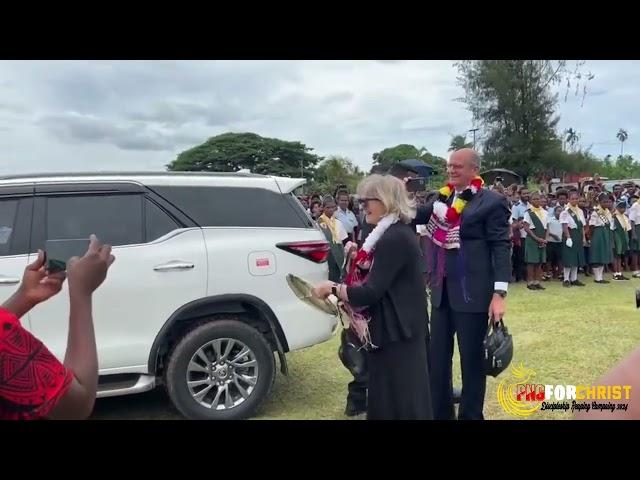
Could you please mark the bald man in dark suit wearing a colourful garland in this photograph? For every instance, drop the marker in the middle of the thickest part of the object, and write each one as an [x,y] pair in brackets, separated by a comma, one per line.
[471,284]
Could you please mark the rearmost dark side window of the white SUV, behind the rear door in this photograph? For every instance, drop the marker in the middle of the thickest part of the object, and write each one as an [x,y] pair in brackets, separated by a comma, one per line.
[236,207]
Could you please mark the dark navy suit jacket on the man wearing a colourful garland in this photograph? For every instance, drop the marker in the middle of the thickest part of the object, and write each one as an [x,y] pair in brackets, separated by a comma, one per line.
[485,253]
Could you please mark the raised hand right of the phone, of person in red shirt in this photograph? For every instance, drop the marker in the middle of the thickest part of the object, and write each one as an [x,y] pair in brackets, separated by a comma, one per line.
[86,274]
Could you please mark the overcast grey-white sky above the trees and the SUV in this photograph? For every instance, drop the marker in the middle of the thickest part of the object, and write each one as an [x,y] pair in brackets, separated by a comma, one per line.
[138,115]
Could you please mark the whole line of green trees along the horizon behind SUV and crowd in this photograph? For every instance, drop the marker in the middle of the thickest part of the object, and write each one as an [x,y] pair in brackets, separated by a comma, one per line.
[513,104]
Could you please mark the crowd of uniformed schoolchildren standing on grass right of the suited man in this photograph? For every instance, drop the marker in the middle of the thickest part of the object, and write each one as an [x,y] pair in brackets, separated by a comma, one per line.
[557,235]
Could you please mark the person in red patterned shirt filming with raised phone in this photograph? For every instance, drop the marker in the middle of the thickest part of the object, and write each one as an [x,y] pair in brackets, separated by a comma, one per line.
[71,394]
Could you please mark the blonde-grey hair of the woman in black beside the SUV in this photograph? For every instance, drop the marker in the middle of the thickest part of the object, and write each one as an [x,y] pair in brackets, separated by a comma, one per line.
[391,192]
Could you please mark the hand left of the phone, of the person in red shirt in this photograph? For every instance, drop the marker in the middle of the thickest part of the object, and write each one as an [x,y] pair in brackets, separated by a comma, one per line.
[36,287]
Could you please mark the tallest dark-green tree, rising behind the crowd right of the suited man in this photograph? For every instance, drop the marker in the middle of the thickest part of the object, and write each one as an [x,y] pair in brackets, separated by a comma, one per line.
[513,104]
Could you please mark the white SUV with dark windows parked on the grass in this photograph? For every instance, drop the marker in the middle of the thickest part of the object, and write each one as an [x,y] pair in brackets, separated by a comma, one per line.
[197,299]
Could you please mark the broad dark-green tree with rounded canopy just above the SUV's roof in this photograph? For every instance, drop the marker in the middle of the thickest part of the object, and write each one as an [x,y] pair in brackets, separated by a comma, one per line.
[231,152]
